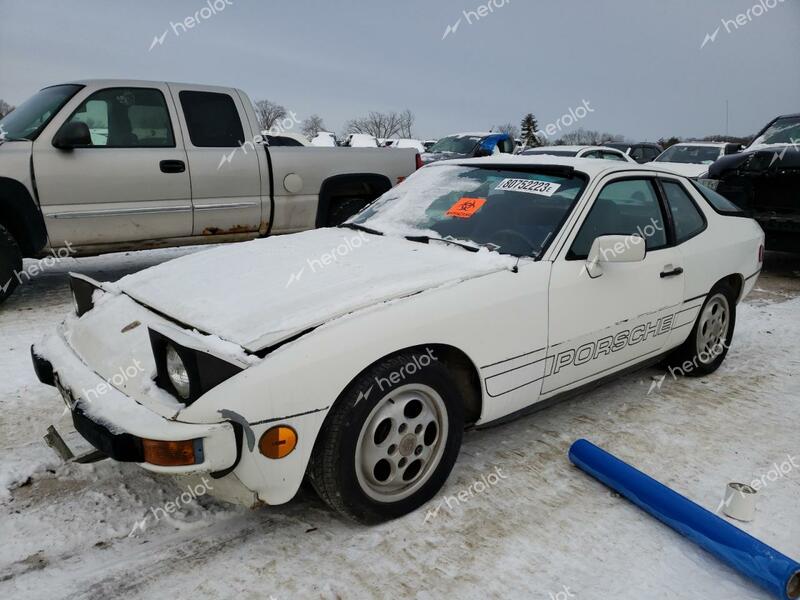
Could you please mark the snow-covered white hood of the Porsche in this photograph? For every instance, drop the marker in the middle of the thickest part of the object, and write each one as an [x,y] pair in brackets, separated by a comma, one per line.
[260,293]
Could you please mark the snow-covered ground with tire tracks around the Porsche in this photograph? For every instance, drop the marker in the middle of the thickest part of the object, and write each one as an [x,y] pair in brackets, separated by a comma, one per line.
[534,527]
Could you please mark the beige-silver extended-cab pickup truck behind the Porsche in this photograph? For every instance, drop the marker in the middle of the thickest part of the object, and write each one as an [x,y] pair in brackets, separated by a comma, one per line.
[107,165]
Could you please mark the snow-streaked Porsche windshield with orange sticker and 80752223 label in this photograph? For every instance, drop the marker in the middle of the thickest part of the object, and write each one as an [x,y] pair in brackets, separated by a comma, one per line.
[511,210]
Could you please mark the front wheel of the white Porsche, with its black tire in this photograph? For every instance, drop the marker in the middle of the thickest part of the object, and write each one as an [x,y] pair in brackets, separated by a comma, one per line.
[336,470]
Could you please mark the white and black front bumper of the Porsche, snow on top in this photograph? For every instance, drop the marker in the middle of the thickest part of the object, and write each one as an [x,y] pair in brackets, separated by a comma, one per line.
[116,424]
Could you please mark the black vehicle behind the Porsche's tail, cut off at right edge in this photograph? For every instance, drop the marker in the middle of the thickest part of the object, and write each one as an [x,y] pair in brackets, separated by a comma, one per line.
[764,180]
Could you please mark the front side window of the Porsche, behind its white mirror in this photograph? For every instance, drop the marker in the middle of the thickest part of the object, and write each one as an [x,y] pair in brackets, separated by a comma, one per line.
[628,207]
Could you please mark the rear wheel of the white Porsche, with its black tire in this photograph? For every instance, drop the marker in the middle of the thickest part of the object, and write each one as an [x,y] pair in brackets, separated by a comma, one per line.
[697,357]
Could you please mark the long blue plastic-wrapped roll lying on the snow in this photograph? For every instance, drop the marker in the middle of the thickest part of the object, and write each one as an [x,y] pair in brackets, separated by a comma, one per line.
[764,565]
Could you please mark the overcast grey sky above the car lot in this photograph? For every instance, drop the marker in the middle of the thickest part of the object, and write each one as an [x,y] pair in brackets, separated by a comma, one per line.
[638,63]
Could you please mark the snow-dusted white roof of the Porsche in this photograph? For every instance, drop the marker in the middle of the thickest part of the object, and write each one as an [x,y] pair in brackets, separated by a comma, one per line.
[590,166]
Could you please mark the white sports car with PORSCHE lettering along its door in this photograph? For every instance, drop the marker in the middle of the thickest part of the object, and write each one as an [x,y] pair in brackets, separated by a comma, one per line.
[356,356]
